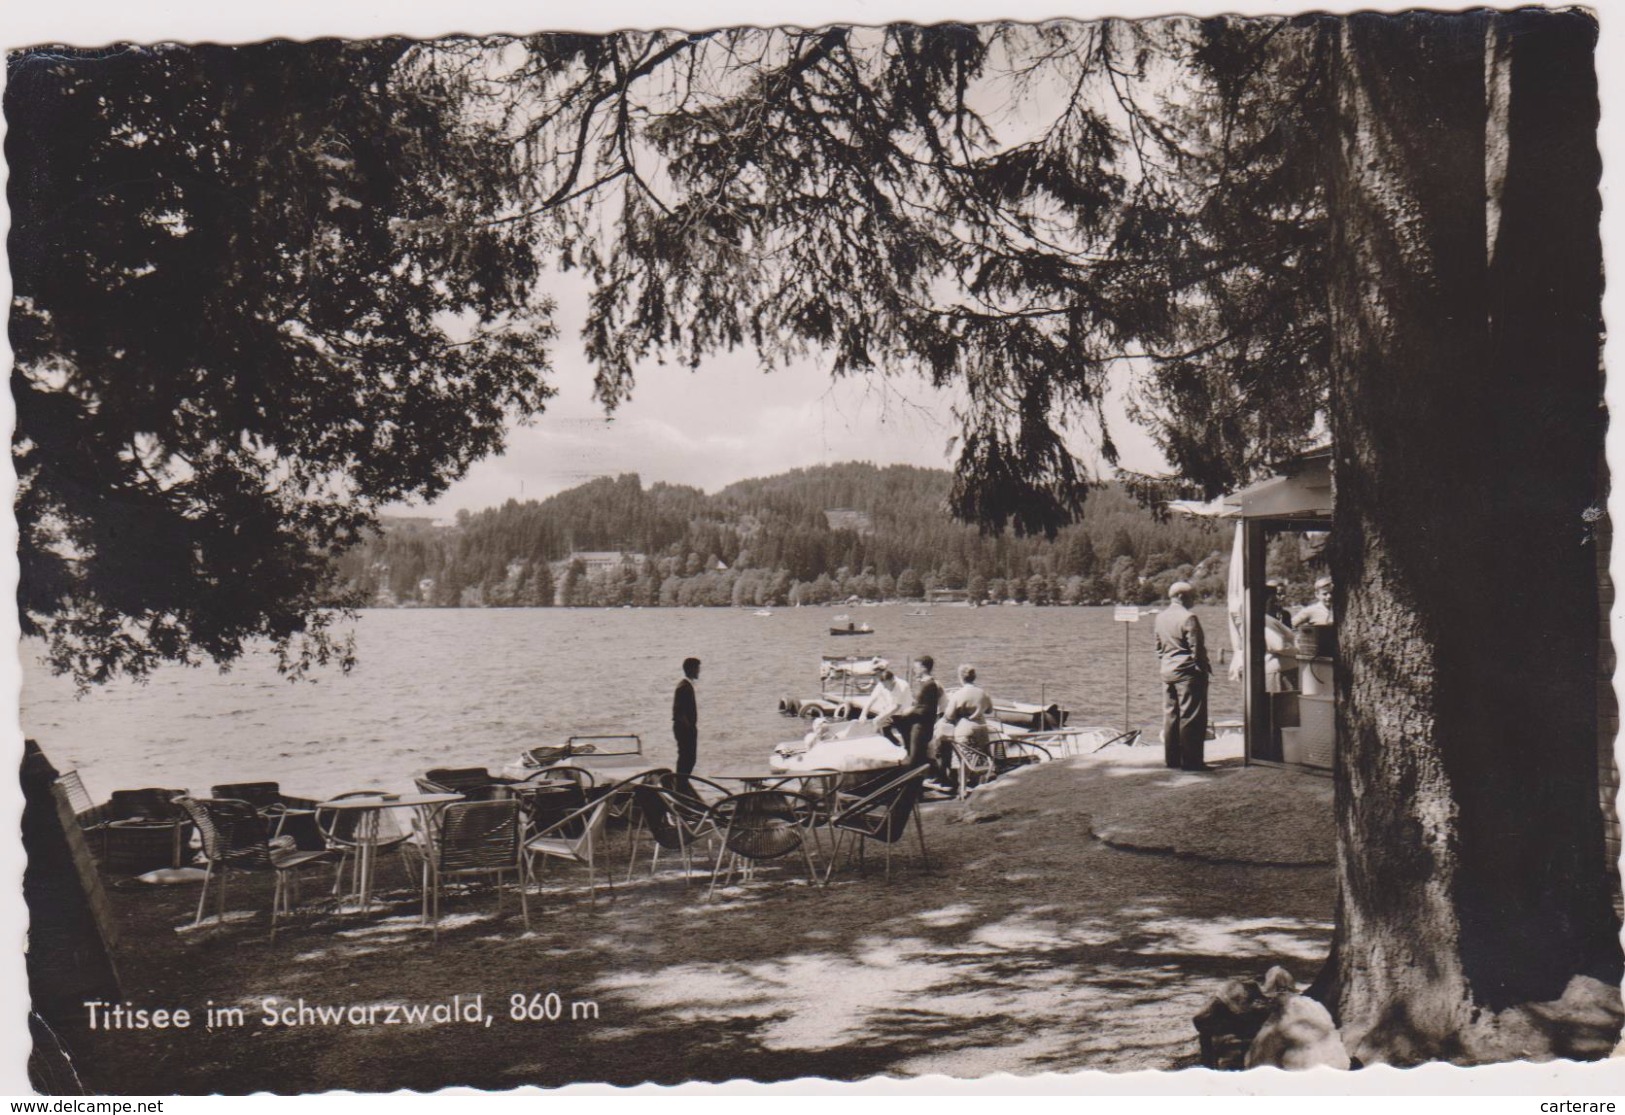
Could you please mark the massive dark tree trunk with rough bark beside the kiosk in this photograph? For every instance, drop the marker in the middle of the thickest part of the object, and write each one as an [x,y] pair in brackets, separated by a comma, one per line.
[1467,428]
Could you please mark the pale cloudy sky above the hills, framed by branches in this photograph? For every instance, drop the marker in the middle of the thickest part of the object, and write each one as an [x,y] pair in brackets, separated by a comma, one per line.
[721,423]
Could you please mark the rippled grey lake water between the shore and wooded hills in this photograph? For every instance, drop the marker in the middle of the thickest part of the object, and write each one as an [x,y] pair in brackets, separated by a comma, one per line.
[477,687]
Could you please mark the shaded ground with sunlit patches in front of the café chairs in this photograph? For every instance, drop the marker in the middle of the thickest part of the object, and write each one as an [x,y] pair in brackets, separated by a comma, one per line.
[1073,918]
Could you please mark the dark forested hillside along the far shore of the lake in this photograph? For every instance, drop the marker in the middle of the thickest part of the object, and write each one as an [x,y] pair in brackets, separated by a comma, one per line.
[771,542]
